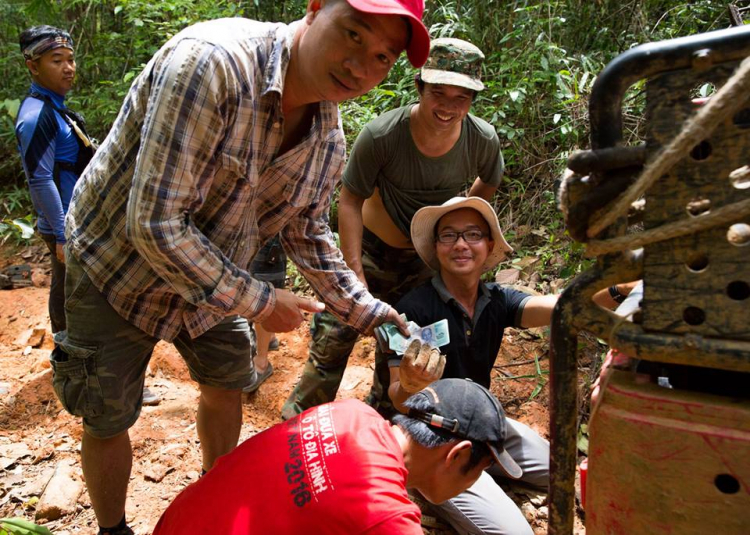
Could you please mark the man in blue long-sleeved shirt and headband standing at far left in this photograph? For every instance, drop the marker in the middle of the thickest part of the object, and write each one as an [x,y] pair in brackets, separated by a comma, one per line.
[54,149]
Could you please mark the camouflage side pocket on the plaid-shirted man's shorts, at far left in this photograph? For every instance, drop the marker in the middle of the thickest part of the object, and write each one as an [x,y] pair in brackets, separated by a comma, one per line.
[74,378]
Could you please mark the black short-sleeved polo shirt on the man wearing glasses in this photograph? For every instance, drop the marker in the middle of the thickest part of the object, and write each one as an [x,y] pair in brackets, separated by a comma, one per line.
[475,342]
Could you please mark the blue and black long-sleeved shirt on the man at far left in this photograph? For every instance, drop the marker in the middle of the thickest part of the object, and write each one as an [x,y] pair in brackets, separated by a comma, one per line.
[43,139]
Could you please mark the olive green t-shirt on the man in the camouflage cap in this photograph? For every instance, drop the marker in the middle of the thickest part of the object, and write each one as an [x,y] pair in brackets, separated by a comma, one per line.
[385,156]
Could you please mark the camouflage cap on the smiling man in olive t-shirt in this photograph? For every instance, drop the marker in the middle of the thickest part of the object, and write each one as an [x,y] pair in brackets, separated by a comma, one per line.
[454,62]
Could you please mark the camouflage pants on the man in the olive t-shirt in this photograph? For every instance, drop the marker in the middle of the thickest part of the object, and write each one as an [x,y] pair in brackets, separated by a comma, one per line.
[390,274]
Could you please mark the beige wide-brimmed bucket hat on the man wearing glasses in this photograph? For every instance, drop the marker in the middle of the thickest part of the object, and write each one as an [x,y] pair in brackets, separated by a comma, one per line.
[423,230]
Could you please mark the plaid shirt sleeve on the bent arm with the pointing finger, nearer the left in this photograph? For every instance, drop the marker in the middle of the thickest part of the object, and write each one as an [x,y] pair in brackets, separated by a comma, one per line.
[193,99]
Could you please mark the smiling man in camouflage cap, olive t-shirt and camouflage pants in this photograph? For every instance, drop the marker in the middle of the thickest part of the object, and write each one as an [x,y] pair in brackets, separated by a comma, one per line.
[415,156]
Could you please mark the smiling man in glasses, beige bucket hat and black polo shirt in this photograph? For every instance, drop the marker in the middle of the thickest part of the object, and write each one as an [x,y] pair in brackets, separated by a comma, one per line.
[461,240]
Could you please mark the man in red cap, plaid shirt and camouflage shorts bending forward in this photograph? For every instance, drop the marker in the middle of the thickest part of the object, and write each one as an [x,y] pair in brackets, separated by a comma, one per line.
[230,135]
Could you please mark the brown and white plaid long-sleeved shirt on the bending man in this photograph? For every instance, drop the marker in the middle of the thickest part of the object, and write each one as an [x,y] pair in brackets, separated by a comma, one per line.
[188,185]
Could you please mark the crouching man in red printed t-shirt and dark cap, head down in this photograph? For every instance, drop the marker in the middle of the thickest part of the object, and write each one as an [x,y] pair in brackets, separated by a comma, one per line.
[340,468]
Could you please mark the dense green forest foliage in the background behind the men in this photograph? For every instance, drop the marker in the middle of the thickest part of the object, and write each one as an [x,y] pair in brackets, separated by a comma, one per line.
[542,59]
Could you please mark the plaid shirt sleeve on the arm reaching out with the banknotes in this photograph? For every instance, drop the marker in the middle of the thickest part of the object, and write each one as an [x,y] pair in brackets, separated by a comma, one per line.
[310,243]
